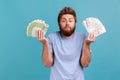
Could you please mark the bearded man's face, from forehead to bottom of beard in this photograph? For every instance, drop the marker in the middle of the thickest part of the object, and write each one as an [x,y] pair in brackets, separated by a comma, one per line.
[67,24]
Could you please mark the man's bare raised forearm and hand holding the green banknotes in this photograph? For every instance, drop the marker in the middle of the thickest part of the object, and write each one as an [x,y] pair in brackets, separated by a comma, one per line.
[47,57]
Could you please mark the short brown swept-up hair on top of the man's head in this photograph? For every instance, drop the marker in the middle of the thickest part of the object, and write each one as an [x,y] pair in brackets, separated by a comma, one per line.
[66,10]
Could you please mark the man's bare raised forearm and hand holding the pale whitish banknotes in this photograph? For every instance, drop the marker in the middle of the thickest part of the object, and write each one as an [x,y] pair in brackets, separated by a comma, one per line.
[86,57]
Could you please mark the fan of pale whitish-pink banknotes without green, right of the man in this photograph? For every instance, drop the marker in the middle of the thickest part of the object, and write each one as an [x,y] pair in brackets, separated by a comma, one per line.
[94,25]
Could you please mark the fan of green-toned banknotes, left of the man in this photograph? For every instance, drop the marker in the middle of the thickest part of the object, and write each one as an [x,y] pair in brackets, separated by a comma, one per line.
[36,25]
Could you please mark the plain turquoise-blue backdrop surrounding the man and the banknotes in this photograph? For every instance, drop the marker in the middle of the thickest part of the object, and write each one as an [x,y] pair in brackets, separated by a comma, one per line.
[20,56]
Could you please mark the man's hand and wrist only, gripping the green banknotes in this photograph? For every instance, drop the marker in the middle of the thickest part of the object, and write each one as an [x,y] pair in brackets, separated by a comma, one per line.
[41,37]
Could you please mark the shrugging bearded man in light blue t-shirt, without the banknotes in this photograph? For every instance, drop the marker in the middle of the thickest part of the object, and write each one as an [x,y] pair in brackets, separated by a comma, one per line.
[66,52]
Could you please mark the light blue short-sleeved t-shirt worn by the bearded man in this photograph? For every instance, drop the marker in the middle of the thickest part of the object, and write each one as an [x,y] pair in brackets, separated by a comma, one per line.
[67,52]
